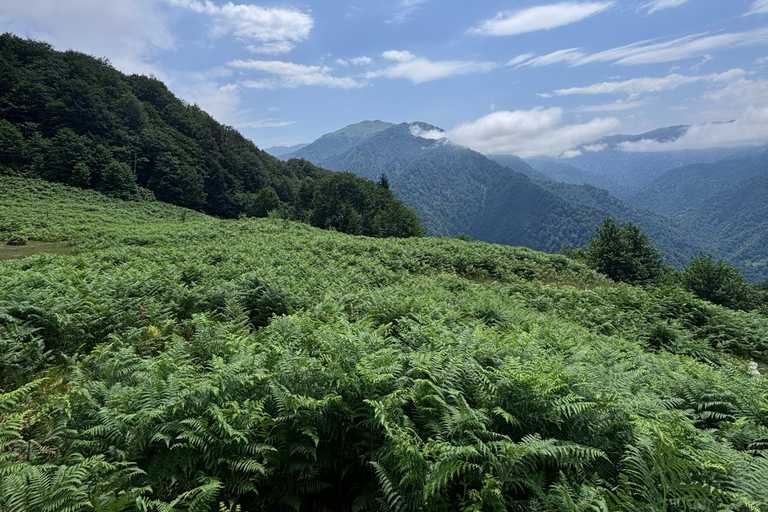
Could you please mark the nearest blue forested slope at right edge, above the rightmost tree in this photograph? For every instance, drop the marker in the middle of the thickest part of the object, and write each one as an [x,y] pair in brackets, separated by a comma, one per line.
[735,222]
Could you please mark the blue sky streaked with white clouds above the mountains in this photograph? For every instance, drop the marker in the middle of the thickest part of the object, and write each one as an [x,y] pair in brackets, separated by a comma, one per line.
[526,77]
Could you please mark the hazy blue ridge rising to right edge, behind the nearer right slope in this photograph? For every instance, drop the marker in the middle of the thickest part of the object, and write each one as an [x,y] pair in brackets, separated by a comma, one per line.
[684,187]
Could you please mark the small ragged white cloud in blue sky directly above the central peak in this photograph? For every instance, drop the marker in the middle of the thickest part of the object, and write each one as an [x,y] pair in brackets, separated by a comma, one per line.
[419,69]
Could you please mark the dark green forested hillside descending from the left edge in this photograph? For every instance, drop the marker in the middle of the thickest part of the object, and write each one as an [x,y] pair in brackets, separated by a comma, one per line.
[71,118]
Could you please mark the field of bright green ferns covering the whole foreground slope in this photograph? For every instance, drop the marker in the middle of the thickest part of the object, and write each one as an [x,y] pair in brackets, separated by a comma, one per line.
[178,362]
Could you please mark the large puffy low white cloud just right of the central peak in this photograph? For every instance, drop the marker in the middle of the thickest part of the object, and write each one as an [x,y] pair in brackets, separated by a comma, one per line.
[529,133]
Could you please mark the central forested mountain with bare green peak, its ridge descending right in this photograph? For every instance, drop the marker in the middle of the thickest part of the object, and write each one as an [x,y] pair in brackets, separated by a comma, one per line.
[457,190]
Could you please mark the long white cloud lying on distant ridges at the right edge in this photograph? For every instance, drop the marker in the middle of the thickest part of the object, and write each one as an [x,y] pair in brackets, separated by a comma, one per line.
[750,129]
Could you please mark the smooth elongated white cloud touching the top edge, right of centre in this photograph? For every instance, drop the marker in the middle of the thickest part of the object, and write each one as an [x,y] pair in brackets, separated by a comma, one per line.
[543,17]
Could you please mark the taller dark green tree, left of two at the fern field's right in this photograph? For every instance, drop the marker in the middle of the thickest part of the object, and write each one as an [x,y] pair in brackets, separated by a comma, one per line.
[625,254]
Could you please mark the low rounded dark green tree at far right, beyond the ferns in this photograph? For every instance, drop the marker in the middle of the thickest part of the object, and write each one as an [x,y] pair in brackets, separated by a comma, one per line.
[719,283]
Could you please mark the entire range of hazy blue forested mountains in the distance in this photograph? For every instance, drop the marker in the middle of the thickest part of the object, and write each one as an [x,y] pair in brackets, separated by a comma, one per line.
[680,199]
